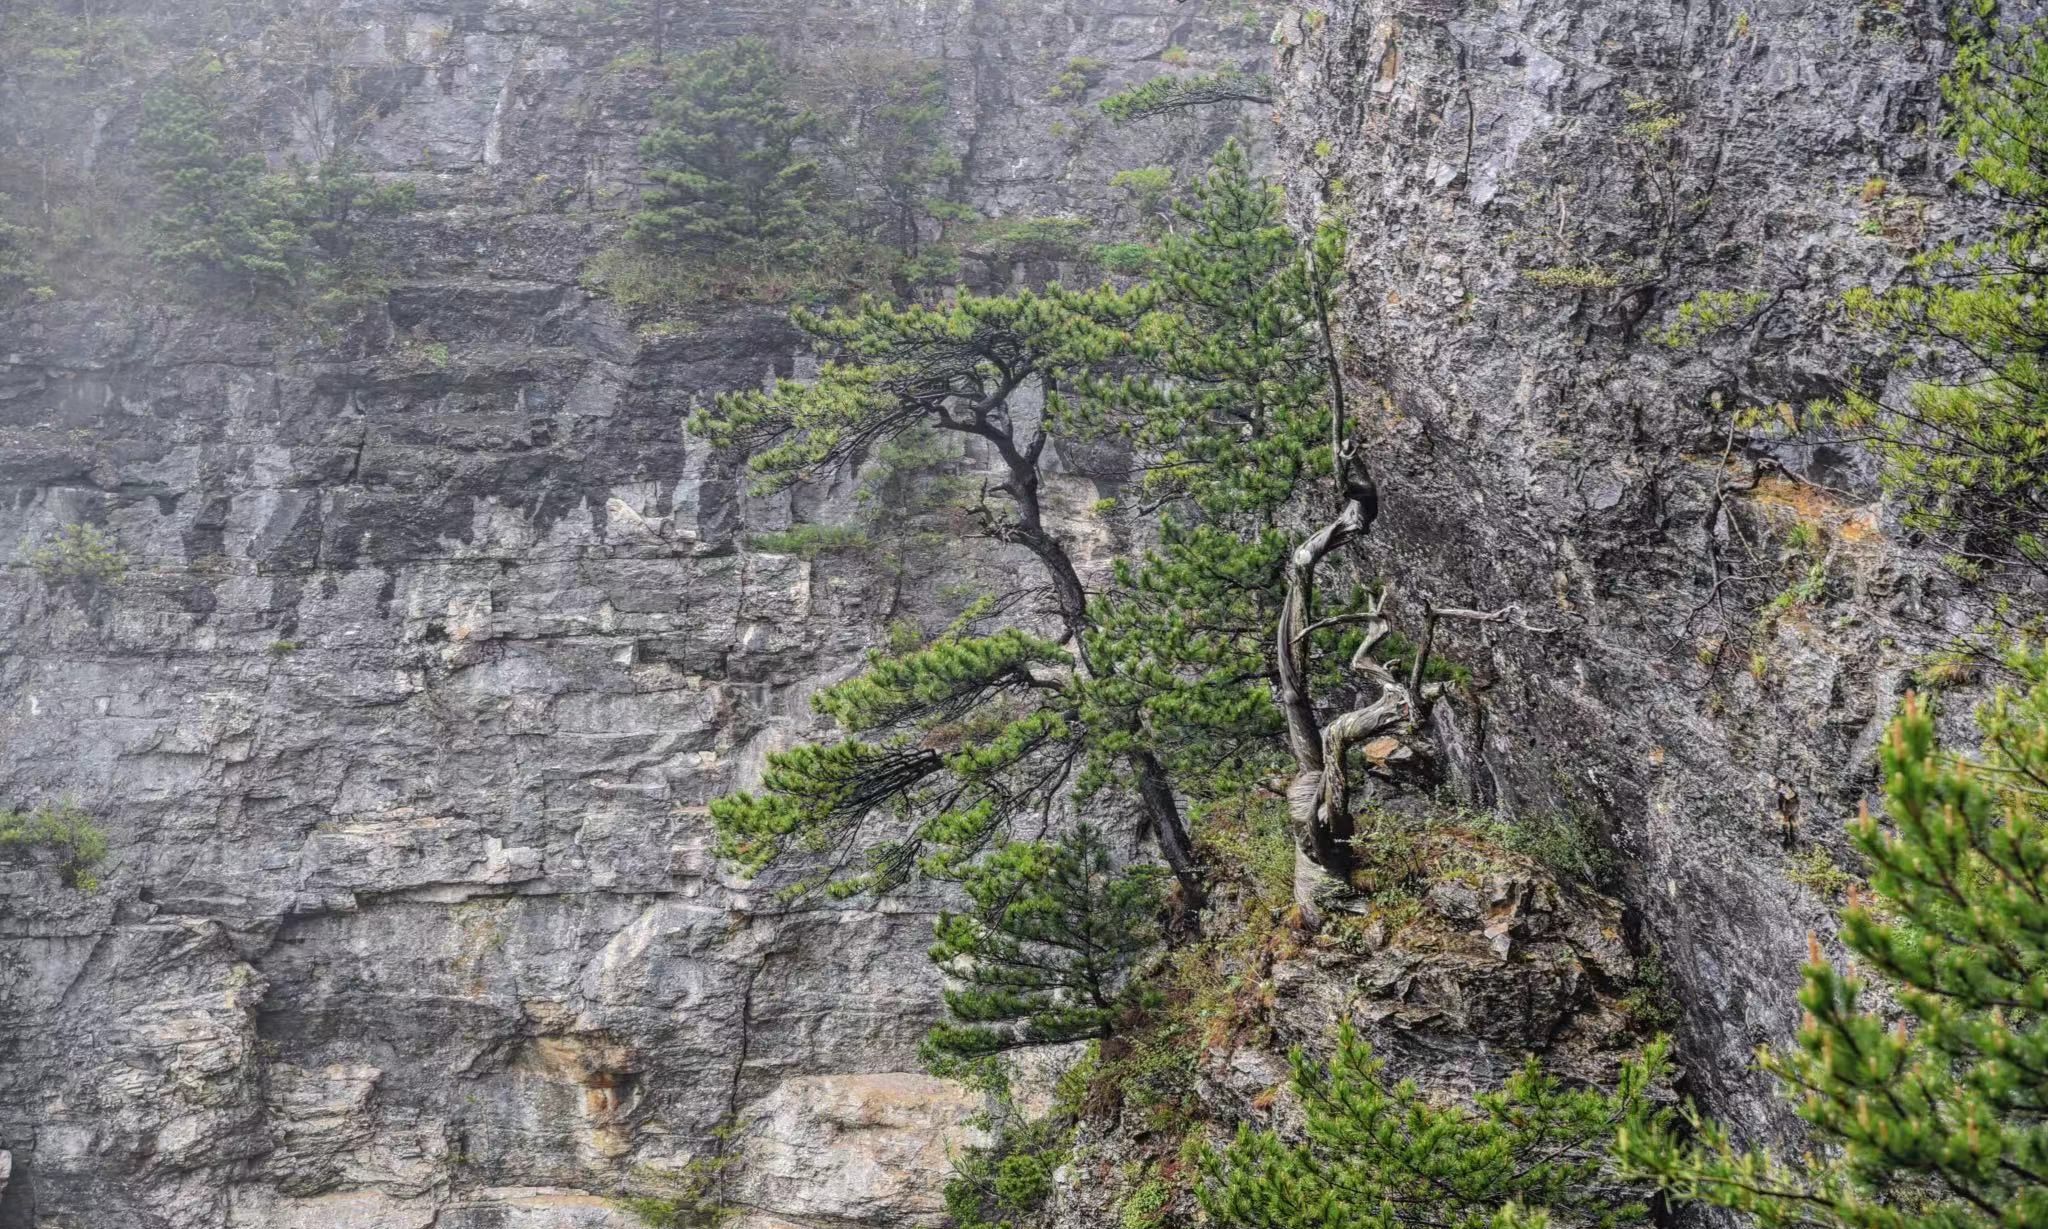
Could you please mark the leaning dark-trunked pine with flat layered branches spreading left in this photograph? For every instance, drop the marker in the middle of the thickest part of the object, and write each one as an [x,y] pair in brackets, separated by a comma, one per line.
[962,738]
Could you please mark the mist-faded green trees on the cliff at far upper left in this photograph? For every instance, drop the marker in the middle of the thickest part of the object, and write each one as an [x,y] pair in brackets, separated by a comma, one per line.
[226,222]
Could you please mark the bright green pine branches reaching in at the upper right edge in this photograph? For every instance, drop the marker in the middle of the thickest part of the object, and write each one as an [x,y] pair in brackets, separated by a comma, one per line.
[1969,454]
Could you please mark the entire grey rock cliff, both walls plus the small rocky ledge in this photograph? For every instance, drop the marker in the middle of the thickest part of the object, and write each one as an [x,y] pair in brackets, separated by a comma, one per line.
[439,636]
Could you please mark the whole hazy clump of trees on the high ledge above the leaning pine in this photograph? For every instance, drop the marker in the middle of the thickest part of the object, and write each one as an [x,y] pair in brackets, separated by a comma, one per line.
[777,185]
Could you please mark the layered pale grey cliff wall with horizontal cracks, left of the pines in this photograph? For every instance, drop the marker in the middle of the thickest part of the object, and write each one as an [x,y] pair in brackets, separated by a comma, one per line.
[435,644]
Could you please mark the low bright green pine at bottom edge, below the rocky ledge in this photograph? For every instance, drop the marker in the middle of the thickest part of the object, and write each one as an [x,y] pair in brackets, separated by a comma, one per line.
[1388,1156]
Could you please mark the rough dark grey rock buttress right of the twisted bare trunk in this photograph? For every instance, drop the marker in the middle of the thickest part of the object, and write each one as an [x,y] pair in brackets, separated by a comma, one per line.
[1537,189]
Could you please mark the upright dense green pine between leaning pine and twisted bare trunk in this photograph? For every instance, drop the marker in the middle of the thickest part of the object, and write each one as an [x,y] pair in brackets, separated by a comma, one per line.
[1230,409]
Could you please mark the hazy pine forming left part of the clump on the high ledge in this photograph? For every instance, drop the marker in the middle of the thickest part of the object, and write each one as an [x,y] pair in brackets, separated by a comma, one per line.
[730,181]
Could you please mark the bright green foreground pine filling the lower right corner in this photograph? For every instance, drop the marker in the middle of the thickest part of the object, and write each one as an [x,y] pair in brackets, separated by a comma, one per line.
[1934,1117]
